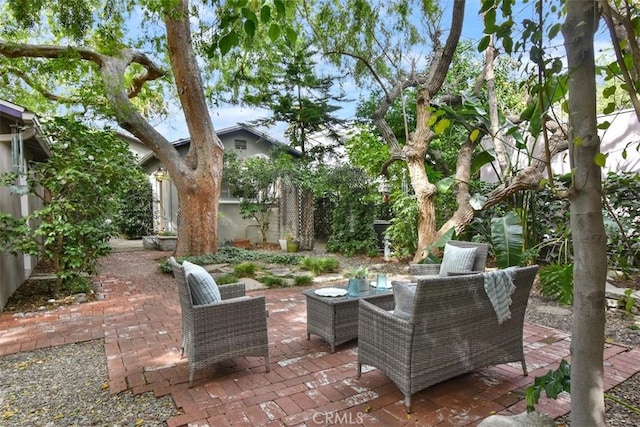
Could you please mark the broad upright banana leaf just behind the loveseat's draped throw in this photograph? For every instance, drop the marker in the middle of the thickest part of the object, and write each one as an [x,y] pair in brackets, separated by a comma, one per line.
[507,240]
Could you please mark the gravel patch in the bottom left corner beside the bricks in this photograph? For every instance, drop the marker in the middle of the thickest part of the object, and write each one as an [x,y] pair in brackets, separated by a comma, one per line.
[67,386]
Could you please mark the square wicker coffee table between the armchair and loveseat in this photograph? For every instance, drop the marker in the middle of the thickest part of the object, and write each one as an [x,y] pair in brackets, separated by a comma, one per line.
[335,319]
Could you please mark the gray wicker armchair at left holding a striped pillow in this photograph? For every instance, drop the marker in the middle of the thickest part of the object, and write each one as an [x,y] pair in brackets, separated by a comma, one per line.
[233,327]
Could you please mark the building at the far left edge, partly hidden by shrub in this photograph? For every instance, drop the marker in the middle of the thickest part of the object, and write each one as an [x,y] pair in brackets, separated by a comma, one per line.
[20,143]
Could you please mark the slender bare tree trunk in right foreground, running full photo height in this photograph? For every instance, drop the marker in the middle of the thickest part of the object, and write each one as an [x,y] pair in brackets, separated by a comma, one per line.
[587,228]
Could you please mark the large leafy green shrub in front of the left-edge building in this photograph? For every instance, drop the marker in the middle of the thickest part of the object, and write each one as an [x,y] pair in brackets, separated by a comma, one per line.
[87,170]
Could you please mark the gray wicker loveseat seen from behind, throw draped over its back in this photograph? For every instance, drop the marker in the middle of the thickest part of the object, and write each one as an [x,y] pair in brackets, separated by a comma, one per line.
[454,330]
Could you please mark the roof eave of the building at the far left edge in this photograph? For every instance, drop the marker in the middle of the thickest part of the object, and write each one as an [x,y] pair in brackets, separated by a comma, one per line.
[33,138]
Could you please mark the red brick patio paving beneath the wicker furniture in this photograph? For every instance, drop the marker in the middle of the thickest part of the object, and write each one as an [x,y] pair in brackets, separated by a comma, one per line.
[139,320]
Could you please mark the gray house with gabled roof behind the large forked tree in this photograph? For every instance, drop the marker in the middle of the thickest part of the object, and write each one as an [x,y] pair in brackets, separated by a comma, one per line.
[245,140]
